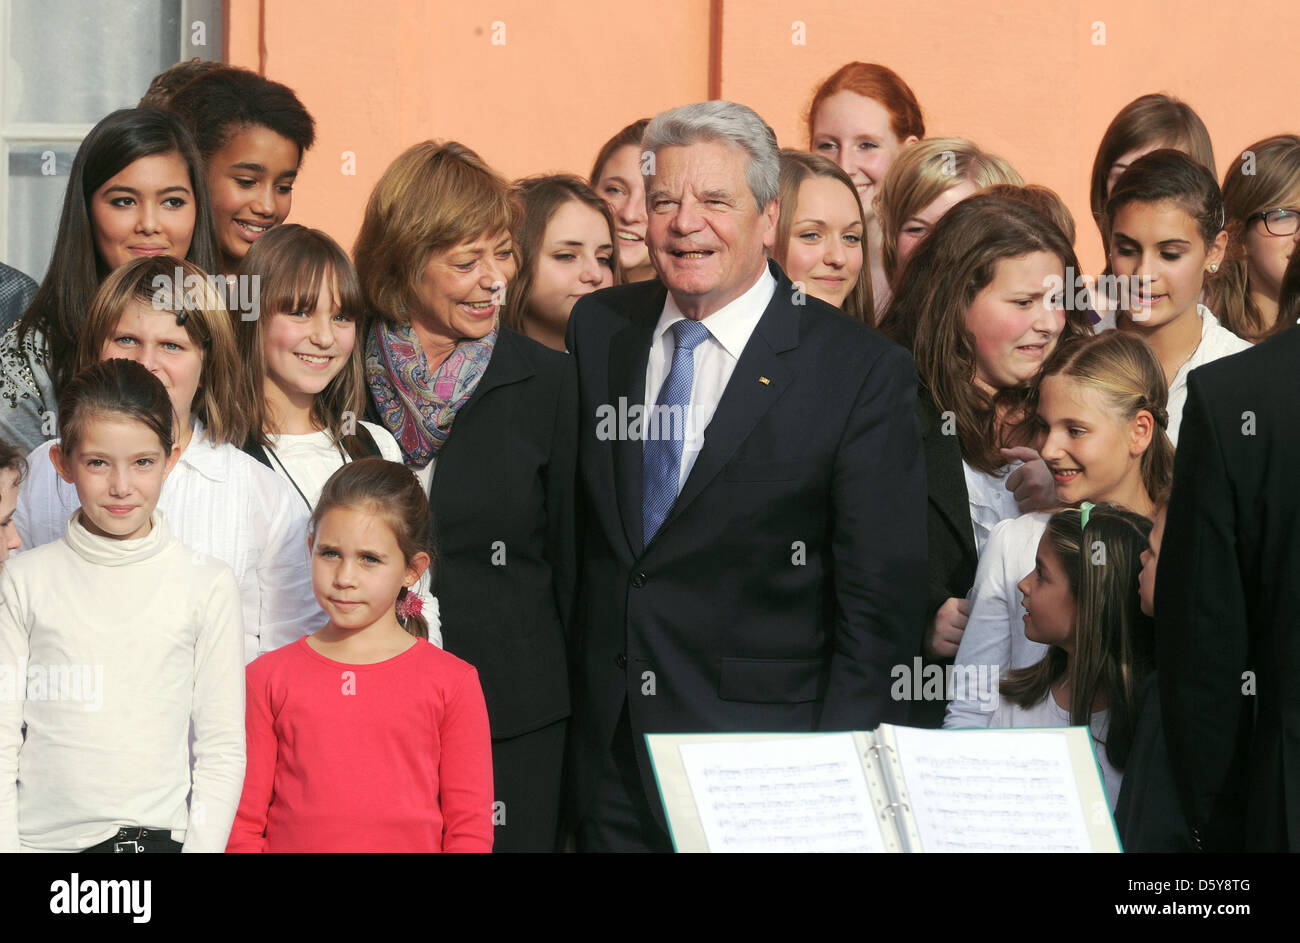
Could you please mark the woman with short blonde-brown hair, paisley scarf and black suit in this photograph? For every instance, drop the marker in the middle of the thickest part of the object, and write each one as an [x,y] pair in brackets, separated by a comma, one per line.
[488,418]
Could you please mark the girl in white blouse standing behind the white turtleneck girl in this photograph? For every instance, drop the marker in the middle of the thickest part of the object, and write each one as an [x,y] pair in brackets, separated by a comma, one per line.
[168,315]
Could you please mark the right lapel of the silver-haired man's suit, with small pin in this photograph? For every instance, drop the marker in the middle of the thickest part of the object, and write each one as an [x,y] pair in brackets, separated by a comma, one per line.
[747,397]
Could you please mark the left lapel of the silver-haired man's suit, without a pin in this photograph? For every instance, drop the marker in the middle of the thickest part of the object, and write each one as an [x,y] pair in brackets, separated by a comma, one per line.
[630,353]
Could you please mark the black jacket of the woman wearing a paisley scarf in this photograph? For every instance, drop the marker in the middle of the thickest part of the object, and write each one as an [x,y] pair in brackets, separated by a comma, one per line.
[502,500]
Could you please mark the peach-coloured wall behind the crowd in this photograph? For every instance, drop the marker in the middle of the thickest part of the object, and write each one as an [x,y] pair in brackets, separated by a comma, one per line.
[1020,77]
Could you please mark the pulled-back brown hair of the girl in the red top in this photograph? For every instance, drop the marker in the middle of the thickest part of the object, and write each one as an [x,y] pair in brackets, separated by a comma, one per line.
[393,492]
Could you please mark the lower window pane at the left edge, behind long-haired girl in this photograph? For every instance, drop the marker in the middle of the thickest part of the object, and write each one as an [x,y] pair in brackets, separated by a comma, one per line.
[36,201]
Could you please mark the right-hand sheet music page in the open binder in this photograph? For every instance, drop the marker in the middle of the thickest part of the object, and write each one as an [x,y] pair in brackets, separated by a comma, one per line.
[993,791]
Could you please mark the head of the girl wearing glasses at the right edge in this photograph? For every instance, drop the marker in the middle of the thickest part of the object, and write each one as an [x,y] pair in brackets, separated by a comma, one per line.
[1263,210]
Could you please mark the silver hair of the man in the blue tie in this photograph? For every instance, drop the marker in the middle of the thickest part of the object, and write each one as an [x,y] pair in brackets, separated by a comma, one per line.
[727,123]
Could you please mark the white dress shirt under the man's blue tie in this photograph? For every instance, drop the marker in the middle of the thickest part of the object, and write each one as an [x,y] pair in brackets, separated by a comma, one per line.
[716,358]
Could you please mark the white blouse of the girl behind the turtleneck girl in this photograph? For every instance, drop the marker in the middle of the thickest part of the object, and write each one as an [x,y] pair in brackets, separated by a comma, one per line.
[218,501]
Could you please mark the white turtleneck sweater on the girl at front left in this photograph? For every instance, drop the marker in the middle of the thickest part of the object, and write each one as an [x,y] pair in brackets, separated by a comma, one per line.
[109,651]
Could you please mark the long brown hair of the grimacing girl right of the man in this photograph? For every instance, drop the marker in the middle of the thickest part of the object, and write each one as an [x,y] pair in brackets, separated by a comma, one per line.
[938,287]
